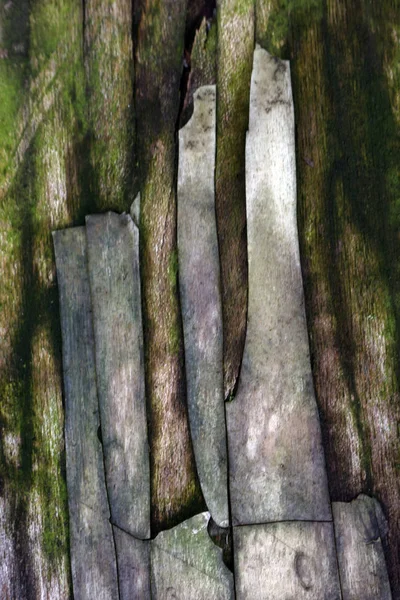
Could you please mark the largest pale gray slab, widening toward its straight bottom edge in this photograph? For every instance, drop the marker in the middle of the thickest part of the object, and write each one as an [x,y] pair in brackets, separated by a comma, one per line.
[276,460]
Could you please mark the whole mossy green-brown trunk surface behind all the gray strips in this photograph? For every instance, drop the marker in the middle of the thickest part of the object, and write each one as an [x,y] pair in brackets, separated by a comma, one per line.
[91,95]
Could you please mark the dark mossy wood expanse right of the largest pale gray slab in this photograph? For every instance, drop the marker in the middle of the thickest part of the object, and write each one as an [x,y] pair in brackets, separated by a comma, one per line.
[346,86]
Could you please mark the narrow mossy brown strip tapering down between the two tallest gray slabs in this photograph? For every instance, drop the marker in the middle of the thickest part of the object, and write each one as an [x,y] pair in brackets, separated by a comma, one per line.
[234,61]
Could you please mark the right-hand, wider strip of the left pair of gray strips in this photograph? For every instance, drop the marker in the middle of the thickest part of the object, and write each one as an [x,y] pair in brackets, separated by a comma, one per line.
[113,251]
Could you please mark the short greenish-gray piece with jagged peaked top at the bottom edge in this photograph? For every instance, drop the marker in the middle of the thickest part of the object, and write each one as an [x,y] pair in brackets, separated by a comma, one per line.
[185,564]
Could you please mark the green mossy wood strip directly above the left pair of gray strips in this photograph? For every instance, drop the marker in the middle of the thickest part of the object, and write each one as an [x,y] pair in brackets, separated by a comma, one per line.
[110,78]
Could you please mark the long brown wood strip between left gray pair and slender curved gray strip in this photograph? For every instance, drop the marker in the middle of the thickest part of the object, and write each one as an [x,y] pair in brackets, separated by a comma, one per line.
[175,489]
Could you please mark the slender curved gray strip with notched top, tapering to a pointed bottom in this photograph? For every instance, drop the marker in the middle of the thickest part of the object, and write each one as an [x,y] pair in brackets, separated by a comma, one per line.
[199,284]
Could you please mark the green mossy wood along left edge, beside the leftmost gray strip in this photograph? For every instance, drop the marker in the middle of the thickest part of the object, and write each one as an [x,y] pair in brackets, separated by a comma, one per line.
[41,131]
